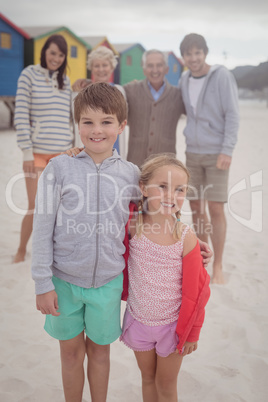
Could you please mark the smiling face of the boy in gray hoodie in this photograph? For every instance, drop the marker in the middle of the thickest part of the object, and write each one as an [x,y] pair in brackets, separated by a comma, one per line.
[98,132]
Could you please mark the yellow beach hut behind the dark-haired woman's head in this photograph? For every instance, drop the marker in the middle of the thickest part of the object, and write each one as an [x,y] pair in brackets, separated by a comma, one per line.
[77,49]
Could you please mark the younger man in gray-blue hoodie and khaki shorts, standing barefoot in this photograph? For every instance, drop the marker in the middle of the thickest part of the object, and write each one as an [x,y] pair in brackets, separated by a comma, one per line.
[211,101]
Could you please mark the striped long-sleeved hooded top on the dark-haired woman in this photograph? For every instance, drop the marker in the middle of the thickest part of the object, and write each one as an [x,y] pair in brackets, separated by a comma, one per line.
[43,118]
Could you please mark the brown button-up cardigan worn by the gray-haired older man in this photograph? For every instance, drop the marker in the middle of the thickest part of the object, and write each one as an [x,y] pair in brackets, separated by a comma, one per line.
[152,124]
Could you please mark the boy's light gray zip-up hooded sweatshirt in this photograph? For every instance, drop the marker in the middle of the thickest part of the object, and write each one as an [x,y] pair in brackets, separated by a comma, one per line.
[80,218]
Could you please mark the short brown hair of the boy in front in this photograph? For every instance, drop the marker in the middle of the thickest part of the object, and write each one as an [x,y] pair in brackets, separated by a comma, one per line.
[101,96]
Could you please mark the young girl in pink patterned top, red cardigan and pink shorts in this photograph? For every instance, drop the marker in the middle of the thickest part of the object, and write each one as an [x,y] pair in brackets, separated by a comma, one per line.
[168,285]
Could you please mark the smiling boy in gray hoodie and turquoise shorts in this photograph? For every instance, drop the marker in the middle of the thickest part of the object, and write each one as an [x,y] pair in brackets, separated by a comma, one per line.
[82,207]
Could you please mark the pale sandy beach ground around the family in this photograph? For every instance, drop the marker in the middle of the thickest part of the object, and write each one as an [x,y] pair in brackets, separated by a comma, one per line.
[231,363]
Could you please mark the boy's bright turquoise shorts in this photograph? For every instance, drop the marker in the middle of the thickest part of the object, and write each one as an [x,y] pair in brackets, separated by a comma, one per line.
[95,311]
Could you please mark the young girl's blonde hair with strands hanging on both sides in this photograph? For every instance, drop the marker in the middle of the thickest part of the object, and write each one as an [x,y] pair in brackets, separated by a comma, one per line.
[147,170]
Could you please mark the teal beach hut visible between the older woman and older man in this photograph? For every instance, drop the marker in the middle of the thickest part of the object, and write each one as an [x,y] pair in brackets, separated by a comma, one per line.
[129,67]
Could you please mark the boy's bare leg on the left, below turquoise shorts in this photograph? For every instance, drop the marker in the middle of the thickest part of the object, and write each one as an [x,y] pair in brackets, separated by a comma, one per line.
[72,359]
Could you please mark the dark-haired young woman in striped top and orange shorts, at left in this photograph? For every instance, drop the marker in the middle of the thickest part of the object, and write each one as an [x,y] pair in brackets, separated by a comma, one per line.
[43,120]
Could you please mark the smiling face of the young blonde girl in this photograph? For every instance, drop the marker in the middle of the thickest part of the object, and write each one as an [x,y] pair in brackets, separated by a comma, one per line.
[166,190]
